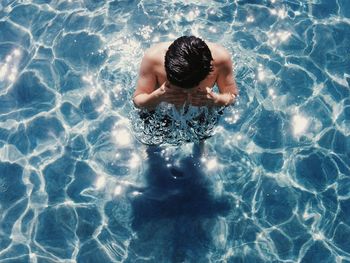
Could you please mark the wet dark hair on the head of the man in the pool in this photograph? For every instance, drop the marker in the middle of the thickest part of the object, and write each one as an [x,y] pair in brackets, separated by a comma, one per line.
[187,62]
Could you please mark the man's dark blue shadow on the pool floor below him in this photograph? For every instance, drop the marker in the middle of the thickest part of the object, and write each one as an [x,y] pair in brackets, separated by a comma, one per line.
[176,213]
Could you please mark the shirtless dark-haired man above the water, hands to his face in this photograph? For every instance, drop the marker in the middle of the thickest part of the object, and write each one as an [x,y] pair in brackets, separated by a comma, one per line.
[185,71]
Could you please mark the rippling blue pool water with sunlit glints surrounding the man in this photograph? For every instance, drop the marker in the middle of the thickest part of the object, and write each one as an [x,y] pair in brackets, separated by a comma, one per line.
[77,185]
